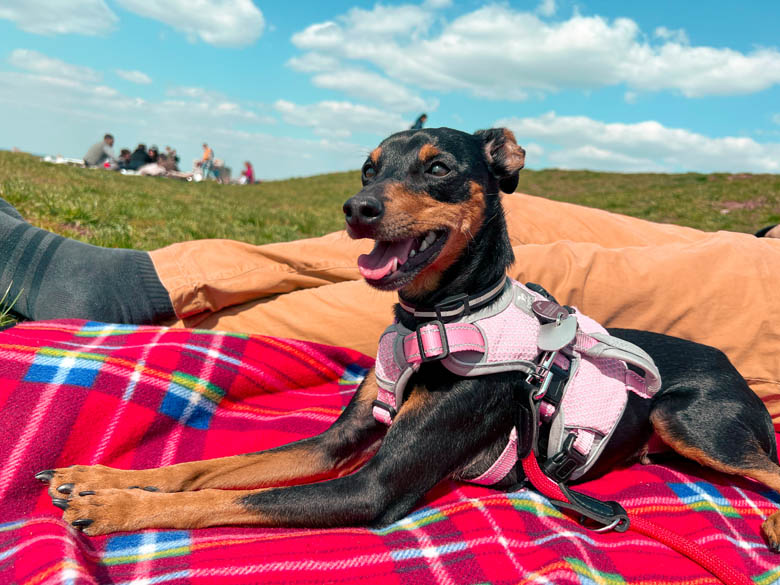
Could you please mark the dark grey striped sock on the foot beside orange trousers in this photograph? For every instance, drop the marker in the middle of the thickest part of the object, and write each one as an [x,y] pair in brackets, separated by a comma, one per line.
[53,277]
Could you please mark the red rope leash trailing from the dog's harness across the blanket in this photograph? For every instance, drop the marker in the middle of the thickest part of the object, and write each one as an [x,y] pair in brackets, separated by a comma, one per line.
[685,547]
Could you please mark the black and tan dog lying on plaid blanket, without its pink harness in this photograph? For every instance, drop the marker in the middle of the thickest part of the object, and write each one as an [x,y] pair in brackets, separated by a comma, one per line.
[431,200]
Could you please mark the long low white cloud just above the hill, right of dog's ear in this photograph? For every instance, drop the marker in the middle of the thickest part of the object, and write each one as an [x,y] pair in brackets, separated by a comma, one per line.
[581,142]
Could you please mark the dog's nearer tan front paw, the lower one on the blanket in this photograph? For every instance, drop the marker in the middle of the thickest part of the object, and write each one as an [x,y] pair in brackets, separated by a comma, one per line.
[107,511]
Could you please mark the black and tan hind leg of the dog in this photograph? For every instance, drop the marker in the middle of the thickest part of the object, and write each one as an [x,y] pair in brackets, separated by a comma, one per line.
[730,432]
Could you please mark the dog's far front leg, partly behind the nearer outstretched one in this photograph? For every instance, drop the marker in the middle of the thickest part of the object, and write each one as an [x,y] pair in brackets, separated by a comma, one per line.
[352,439]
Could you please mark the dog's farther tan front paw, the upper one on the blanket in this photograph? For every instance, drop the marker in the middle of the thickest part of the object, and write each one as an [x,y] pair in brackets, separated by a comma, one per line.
[67,481]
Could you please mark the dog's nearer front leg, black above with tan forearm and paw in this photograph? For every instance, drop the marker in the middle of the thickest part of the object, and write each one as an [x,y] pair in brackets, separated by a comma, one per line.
[418,452]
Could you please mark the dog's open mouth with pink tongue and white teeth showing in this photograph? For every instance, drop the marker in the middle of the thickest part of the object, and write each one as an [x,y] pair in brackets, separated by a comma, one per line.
[393,264]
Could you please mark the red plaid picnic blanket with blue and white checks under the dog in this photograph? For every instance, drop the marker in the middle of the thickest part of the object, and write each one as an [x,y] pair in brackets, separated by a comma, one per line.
[133,397]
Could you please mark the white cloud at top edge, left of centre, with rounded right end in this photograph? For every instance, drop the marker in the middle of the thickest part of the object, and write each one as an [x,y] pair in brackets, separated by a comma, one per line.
[223,23]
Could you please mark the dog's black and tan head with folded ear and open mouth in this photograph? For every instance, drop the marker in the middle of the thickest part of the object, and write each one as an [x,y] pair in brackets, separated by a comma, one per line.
[426,197]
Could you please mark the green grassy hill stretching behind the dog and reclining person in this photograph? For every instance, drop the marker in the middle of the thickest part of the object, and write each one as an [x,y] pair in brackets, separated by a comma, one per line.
[110,209]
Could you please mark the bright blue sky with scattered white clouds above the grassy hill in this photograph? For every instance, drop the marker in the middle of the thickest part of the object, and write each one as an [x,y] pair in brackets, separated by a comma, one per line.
[309,87]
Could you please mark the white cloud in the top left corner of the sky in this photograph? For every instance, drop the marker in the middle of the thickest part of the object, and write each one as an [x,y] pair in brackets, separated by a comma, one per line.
[47,17]
